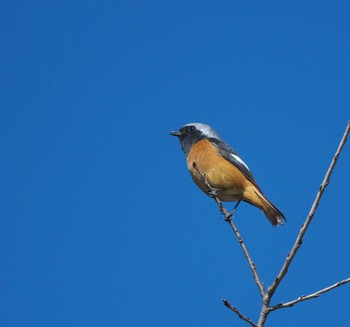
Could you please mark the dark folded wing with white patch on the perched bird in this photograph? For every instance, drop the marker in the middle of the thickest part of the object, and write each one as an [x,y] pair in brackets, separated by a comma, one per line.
[231,155]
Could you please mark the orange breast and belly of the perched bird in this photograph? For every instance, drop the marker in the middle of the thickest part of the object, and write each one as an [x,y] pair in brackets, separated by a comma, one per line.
[220,173]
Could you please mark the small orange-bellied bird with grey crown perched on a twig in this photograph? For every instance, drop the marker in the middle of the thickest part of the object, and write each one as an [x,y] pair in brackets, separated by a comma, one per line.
[212,160]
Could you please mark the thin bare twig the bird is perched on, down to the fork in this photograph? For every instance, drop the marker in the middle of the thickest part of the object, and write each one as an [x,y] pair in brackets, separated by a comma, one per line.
[227,217]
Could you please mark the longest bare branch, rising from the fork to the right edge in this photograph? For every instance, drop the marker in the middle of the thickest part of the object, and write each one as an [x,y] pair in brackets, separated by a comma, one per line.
[304,227]
